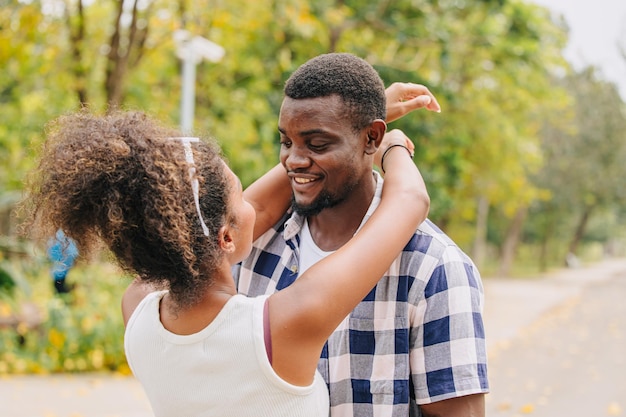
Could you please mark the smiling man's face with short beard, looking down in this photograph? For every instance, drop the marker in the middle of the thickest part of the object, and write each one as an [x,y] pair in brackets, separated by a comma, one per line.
[323,155]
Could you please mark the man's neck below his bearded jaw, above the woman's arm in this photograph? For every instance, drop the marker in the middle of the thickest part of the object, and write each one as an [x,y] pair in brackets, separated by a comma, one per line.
[333,227]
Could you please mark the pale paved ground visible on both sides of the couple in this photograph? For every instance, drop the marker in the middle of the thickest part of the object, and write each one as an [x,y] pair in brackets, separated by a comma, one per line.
[556,346]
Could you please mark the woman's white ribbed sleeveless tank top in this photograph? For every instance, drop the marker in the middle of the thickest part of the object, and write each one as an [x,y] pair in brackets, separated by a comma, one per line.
[222,370]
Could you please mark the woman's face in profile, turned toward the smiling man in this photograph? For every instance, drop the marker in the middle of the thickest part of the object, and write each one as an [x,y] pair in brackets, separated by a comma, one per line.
[243,218]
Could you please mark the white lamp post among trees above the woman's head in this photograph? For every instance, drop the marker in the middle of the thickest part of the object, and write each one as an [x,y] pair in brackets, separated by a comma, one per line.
[191,50]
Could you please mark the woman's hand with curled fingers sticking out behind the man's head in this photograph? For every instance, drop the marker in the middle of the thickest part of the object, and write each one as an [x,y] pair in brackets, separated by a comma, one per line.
[403,98]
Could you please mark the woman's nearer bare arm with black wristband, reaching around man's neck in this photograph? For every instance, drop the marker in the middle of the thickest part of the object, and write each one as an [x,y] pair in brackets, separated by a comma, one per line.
[304,315]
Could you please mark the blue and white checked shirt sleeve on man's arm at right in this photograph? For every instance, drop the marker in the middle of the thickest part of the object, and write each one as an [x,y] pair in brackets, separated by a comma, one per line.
[447,344]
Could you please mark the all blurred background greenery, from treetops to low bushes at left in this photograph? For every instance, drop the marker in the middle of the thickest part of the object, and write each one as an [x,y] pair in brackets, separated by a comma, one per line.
[525,165]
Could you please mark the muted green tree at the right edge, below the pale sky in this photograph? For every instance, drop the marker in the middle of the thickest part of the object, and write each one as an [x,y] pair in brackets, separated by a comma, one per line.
[585,169]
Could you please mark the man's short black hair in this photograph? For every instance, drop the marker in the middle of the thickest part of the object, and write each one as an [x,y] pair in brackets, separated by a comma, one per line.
[346,75]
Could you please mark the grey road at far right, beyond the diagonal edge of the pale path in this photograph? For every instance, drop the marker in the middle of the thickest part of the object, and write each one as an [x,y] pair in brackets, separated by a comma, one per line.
[571,361]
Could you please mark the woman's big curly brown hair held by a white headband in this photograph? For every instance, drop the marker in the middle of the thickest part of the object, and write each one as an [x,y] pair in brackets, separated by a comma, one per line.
[122,180]
